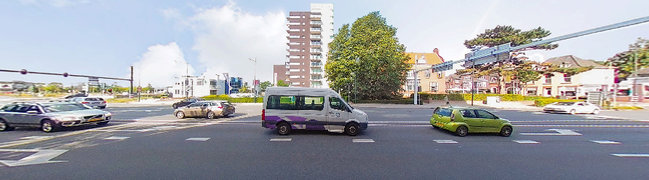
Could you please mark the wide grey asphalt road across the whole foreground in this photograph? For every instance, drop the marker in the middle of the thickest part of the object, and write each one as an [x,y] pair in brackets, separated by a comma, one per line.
[397,145]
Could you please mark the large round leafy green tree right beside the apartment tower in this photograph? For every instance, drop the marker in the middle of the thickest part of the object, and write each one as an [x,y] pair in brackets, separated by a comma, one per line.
[367,55]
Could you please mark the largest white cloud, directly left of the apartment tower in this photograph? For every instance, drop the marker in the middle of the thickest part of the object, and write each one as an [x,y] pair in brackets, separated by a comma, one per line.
[226,37]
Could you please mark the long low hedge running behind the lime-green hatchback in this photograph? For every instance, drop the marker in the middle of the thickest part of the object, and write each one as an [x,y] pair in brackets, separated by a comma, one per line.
[467,97]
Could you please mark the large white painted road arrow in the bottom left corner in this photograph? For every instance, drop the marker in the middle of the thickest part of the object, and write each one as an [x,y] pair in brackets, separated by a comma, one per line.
[39,157]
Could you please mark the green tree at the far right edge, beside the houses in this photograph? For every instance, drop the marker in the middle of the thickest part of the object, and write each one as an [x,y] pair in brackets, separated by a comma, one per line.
[626,61]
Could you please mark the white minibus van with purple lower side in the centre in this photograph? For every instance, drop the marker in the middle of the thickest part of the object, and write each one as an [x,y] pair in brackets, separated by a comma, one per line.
[288,108]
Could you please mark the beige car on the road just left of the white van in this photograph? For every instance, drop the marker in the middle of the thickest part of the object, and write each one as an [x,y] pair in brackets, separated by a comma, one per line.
[208,109]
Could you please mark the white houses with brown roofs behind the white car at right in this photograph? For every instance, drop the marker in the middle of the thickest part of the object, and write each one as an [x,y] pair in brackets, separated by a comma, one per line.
[599,78]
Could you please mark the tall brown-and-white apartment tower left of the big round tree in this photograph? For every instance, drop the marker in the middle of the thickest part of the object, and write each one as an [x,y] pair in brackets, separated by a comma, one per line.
[310,32]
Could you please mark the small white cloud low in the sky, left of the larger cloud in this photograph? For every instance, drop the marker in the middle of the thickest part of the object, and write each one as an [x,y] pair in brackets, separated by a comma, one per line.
[160,66]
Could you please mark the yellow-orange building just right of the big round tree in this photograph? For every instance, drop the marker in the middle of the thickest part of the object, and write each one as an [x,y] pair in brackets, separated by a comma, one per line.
[427,81]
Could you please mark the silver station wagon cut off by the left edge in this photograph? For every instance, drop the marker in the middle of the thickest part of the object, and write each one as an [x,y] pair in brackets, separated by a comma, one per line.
[50,116]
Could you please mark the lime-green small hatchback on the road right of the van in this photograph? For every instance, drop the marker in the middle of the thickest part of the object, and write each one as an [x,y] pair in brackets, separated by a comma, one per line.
[467,120]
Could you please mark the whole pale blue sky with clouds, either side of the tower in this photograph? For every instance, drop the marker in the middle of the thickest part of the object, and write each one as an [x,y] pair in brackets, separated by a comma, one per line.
[163,38]
